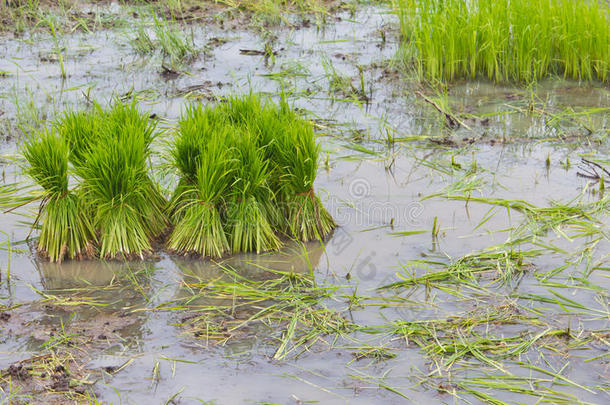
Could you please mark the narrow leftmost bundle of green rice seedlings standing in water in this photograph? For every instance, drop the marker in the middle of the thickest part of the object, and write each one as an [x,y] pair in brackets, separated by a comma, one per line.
[66,229]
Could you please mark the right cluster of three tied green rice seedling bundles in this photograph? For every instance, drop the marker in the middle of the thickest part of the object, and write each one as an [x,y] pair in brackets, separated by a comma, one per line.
[246,171]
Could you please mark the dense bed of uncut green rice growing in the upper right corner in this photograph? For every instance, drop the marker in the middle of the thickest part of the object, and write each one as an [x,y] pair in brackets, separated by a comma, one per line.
[506,40]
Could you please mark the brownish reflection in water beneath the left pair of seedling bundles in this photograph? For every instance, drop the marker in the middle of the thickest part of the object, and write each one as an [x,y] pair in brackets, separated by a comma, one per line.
[91,303]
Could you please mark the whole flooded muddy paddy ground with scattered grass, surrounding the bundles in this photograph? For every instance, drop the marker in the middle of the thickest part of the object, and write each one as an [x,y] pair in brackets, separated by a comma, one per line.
[411,193]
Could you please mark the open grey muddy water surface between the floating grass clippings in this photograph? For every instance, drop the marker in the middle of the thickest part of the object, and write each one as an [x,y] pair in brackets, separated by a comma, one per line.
[371,194]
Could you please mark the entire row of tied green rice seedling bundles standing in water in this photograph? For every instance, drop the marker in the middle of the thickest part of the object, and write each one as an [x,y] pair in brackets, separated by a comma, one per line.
[245,167]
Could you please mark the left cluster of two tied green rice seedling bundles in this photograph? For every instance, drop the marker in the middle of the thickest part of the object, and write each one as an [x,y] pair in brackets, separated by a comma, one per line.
[114,207]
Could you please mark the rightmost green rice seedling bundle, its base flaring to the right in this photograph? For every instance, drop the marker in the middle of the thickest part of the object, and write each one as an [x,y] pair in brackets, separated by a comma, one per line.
[287,143]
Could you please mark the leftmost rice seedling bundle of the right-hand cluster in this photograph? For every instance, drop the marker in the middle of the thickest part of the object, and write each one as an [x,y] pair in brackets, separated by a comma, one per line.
[200,154]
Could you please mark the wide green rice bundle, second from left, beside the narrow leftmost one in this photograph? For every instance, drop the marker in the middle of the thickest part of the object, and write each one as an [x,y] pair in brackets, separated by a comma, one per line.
[127,207]
